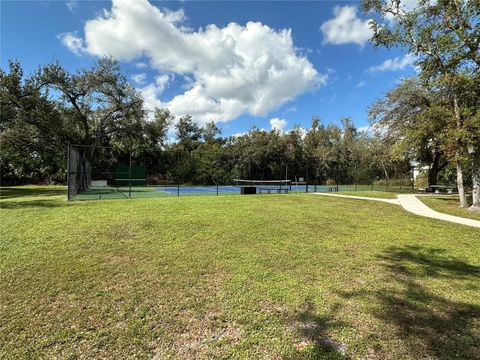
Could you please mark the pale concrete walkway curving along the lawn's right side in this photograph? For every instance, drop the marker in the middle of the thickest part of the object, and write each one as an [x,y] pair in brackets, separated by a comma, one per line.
[411,204]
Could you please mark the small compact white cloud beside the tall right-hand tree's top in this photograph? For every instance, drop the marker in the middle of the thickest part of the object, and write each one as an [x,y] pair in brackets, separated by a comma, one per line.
[346,27]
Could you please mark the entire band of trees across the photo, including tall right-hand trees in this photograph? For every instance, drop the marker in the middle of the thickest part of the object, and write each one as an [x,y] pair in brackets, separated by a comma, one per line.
[431,119]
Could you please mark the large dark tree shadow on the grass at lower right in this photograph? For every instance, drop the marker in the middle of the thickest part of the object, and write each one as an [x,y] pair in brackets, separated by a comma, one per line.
[430,325]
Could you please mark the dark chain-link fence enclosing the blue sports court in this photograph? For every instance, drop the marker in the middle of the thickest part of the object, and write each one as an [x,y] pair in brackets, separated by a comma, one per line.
[102,172]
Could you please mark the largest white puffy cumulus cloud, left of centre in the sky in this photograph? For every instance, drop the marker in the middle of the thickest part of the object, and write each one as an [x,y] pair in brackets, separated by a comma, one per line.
[235,70]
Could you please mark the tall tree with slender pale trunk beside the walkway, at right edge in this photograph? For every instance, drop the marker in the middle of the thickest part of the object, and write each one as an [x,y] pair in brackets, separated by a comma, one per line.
[445,37]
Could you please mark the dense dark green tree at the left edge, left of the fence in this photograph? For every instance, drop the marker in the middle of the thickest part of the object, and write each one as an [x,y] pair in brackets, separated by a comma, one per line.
[32,131]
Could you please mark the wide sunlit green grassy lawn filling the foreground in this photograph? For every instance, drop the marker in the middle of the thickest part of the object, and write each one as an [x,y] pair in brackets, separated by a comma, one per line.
[233,277]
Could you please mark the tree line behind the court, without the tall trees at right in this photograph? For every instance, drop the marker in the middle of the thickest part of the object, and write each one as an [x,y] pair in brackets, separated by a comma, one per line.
[98,108]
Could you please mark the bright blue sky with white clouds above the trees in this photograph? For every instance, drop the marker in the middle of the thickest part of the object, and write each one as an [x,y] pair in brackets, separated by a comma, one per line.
[241,64]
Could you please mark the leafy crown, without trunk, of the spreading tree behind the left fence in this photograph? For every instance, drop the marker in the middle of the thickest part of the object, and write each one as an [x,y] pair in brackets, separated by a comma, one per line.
[99,101]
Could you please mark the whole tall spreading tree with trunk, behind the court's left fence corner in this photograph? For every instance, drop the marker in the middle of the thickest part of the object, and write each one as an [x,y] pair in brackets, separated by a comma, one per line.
[103,108]
